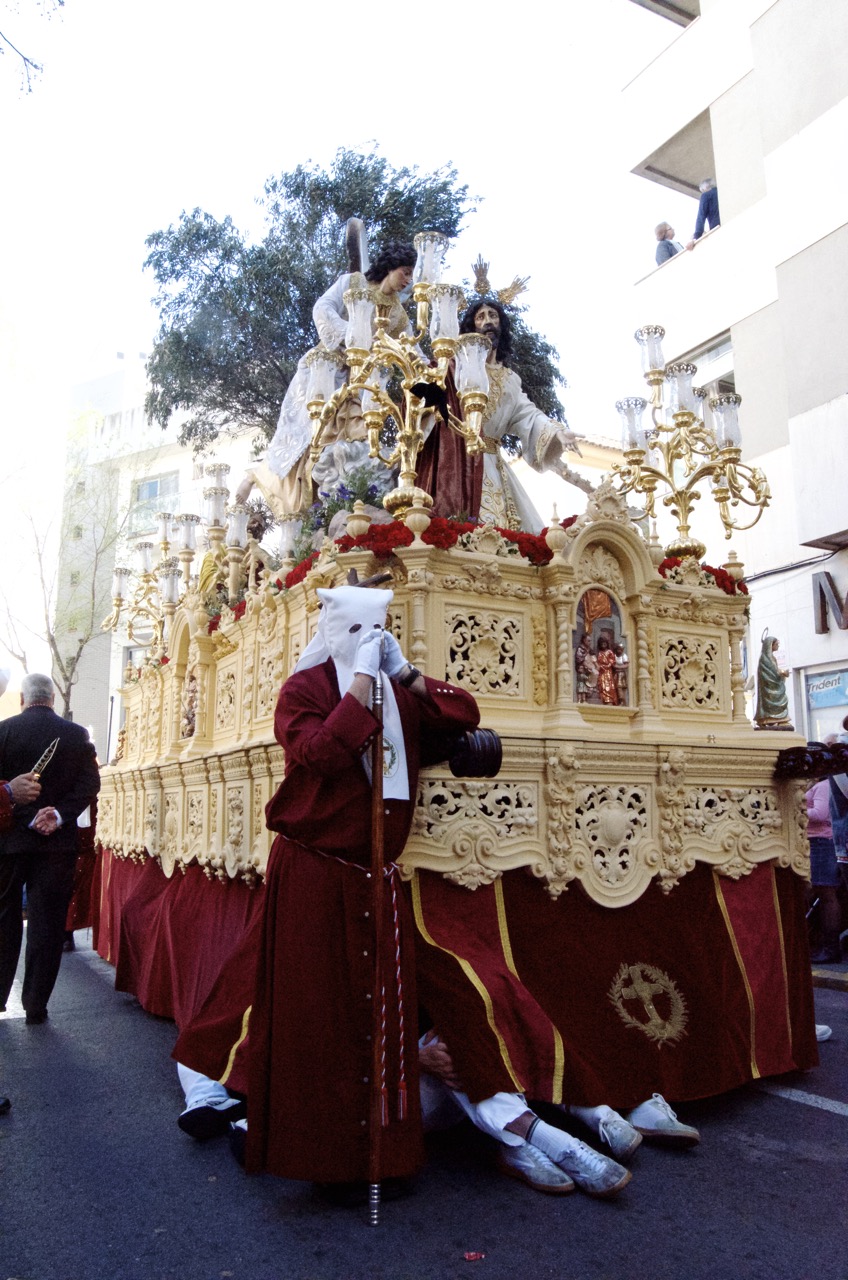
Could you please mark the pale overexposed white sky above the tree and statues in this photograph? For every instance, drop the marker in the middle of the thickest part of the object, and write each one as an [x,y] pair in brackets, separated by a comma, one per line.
[148,109]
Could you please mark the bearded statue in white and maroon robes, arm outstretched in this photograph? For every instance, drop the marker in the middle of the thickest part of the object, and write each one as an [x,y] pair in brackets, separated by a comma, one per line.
[484,486]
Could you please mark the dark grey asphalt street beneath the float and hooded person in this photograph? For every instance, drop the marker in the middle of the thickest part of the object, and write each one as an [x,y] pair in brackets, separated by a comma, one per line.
[98,1183]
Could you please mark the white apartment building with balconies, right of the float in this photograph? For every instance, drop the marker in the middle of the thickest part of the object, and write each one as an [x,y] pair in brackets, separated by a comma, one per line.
[755,93]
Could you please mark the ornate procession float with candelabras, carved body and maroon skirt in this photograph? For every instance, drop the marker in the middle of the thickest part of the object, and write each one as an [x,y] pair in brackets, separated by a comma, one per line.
[636,872]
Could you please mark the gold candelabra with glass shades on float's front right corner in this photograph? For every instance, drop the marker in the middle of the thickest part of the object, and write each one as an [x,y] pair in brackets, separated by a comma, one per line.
[682,454]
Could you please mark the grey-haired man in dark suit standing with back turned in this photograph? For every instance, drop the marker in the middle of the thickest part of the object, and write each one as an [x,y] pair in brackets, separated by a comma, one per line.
[40,848]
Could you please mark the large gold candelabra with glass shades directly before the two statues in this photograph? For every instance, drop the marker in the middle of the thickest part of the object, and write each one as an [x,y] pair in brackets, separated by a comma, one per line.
[375,360]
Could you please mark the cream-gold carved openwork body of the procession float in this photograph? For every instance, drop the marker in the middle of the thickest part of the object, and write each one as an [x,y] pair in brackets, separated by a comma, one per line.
[610,796]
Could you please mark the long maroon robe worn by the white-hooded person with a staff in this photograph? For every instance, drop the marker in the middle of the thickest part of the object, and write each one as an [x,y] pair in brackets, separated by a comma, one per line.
[312,1022]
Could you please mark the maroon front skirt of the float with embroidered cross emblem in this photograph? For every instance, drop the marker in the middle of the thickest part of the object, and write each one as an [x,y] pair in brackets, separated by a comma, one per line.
[690,994]
